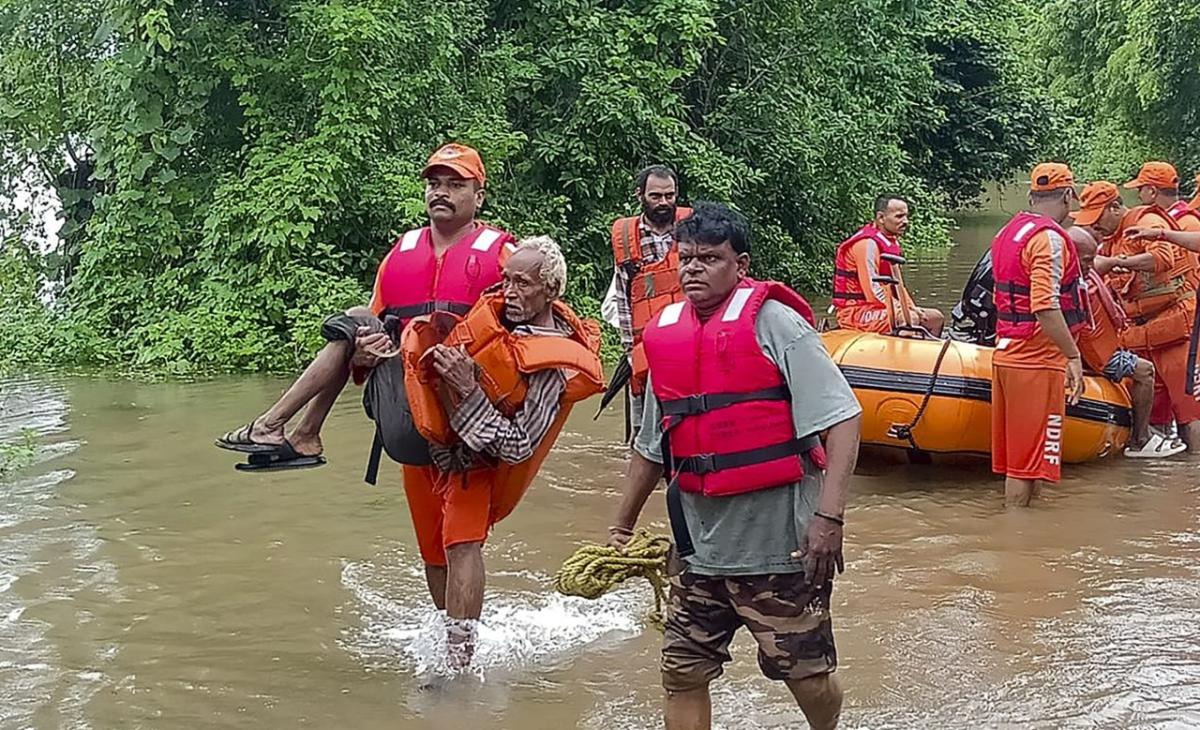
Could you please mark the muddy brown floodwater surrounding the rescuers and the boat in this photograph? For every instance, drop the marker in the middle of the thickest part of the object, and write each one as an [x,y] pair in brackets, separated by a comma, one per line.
[146,584]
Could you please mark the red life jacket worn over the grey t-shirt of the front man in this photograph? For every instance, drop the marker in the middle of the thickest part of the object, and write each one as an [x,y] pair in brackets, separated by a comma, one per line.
[727,410]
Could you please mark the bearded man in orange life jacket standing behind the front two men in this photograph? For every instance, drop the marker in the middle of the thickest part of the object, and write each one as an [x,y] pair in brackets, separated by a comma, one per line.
[646,273]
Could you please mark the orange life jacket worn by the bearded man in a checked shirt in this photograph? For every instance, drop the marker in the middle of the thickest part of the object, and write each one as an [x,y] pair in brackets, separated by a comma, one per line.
[652,285]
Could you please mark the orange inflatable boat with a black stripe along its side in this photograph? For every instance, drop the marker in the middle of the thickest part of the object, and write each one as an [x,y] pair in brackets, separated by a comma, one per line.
[907,409]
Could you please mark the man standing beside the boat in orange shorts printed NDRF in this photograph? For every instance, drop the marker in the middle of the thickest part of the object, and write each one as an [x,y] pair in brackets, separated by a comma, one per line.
[1040,308]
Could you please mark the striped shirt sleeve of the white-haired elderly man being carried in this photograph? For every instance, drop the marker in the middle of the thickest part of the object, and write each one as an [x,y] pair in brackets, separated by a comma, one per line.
[514,440]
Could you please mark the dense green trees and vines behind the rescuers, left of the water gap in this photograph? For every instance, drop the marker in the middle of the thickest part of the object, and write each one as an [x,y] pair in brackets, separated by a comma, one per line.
[232,170]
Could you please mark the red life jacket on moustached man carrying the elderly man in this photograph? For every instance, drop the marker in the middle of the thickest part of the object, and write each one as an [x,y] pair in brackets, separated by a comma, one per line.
[413,283]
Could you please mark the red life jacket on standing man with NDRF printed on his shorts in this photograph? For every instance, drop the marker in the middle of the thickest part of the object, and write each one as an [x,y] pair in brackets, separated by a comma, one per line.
[1015,318]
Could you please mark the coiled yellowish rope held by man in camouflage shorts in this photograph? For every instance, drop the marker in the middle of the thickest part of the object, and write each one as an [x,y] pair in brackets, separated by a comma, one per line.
[593,570]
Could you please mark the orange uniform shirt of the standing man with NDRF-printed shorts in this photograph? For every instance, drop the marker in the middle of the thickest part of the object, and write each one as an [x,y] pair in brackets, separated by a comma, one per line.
[1047,258]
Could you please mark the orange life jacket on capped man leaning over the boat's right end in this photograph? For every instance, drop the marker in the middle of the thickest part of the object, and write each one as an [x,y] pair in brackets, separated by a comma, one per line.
[1144,295]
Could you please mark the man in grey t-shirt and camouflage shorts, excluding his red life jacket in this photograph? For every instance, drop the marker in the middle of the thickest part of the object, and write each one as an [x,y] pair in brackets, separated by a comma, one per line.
[763,559]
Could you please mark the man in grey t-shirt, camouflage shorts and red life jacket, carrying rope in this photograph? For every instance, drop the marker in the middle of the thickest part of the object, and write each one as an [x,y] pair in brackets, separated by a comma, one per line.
[742,387]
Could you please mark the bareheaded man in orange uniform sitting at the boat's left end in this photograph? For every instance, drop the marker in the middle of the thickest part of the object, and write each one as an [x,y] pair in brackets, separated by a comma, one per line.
[861,302]
